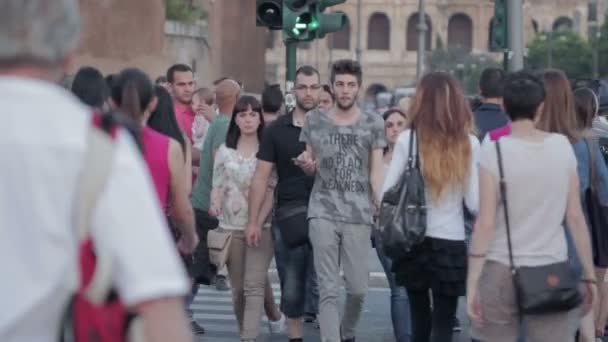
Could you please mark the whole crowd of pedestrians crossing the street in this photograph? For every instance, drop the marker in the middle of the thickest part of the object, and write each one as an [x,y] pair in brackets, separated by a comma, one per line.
[206,186]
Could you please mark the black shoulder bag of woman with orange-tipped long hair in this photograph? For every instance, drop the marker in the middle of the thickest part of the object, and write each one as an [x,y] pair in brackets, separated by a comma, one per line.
[403,209]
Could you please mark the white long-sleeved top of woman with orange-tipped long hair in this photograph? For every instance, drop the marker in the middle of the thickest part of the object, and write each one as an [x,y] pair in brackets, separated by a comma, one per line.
[445,217]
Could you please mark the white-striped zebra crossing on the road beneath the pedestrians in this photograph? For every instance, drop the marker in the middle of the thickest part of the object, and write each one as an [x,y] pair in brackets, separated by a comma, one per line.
[213,310]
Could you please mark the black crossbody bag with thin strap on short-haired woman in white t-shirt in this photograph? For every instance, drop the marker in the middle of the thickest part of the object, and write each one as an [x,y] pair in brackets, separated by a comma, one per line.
[539,289]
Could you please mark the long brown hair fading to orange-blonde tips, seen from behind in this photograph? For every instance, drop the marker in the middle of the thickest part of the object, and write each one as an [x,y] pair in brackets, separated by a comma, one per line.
[442,119]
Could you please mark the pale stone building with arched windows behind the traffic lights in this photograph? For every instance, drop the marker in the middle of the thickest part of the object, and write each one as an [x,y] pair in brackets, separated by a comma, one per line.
[388,36]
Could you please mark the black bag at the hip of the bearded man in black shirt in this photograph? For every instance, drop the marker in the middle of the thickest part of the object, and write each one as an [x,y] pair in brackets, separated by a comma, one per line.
[292,220]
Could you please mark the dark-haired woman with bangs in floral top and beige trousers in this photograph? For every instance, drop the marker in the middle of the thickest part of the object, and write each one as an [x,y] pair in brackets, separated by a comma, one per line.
[250,254]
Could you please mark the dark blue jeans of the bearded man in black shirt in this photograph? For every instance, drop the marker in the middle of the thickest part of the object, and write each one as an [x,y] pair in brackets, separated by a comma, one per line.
[292,266]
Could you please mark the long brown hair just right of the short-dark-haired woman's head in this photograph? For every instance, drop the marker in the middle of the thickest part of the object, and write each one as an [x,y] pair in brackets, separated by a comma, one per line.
[558,114]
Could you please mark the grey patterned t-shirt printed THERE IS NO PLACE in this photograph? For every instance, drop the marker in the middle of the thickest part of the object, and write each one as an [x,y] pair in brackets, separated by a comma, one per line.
[342,188]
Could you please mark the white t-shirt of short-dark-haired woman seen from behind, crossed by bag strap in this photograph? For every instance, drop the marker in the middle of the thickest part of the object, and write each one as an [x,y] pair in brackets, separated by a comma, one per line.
[537,175]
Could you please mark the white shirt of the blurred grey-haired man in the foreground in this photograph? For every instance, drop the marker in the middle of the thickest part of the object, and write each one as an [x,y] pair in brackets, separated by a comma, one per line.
[42,138]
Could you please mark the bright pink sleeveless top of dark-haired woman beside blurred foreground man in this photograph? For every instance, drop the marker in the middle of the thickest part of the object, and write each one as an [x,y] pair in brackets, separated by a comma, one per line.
[156,155]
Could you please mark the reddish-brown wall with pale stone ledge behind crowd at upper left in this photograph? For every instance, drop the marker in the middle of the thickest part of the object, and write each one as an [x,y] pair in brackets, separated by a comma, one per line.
[118,34]
